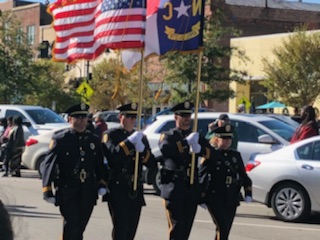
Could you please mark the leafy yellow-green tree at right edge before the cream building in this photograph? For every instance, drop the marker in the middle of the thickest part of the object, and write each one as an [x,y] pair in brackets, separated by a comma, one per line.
[294,75]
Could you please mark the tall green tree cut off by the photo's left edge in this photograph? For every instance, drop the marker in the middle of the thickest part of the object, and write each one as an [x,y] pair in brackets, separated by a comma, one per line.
[15,60]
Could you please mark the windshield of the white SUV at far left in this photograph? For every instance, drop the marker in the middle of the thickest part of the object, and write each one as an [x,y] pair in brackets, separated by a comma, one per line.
[43,116]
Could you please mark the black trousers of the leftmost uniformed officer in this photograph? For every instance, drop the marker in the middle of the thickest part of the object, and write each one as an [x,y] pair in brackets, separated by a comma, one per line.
[76,216]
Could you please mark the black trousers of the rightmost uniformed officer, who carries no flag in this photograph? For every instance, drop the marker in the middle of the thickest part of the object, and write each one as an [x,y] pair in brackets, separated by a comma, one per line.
[222,211]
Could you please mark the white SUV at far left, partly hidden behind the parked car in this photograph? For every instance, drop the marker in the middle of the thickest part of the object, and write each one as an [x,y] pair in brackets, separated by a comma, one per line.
[35,119]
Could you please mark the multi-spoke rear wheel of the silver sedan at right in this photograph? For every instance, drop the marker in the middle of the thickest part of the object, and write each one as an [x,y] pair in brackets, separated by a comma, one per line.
[290,203]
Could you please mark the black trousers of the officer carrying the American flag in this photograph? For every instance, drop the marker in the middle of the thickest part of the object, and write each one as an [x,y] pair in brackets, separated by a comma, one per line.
[125,218]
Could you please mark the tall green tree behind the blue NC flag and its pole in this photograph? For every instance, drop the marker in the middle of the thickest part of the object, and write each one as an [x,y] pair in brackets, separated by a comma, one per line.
[215,71]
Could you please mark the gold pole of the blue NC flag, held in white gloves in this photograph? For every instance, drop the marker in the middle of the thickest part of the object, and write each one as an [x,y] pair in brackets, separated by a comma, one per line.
[196,108]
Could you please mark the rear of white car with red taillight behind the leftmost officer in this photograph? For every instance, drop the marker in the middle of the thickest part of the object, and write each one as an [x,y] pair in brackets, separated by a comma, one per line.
[37,147]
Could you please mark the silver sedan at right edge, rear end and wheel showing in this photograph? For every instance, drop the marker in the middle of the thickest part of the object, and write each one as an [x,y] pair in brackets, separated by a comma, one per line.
[287,180]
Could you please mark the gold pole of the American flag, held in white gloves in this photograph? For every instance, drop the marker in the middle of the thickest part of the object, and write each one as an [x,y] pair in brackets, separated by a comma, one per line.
[136,163]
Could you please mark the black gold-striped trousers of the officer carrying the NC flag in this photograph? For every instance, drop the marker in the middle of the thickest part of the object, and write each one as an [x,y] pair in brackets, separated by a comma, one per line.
[180,216]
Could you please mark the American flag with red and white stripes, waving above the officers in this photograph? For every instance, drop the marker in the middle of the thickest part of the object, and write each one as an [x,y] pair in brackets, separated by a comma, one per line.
[85,28]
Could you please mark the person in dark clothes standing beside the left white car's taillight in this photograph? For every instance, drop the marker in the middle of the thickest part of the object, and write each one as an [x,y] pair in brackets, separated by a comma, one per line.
[14,148]
